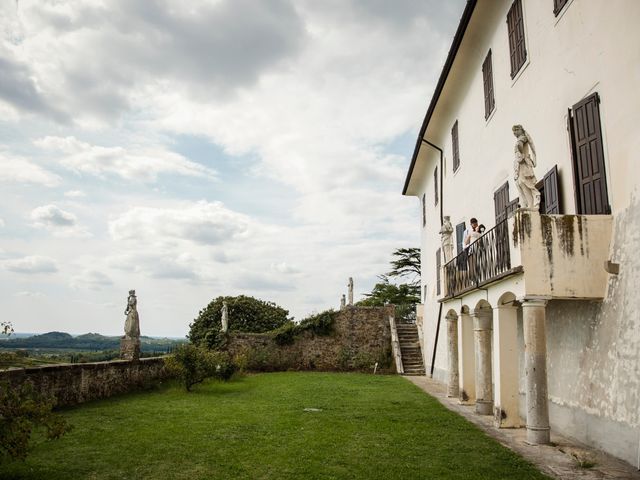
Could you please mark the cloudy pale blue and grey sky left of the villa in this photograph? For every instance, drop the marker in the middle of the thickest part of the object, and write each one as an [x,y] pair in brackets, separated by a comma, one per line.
[189,149]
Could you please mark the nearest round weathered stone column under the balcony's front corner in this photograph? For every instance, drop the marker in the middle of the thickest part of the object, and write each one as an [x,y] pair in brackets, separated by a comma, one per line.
[535,370]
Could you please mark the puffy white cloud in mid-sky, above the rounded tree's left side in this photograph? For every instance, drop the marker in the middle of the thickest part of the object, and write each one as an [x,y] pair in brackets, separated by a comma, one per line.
[201,223]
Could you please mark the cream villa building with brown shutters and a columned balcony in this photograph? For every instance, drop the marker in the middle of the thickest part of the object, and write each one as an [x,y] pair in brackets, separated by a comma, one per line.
[538,321]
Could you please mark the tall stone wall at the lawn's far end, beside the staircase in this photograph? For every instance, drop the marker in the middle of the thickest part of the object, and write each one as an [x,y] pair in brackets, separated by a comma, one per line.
[361,338]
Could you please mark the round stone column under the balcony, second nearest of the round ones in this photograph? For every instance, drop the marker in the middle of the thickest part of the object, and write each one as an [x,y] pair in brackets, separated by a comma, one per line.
[482,336]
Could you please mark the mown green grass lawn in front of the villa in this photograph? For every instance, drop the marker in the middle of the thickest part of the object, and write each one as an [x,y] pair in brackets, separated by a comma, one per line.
[256,427]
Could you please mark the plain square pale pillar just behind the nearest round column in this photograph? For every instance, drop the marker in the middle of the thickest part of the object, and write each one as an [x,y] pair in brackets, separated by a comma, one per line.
[505,361]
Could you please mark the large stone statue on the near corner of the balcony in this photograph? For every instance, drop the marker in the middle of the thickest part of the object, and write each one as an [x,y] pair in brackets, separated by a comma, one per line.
[525,161]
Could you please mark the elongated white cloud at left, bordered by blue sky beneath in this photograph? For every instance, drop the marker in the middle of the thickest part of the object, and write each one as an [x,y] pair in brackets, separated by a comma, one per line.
[137,164]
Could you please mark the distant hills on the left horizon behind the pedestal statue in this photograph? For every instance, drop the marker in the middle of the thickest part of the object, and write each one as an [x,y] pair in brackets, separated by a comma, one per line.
[87,341]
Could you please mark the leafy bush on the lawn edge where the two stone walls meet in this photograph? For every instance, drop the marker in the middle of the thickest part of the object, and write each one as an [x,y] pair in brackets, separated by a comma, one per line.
[193,364]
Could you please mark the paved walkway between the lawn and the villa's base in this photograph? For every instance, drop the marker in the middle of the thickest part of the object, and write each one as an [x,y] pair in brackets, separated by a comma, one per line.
[560,460]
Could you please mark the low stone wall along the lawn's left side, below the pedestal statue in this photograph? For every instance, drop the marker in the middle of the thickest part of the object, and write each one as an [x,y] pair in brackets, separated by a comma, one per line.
[73,383]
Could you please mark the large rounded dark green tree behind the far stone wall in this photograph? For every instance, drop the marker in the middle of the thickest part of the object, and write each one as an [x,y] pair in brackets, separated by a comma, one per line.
[246,314]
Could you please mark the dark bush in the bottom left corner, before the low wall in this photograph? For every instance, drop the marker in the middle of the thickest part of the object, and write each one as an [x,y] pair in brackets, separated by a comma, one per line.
[22,409]
